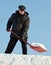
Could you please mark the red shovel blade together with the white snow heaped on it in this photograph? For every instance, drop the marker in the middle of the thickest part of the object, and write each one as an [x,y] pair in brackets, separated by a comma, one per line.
[38,47]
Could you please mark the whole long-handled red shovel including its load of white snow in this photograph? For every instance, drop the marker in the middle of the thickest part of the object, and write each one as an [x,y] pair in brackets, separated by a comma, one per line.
[37,47]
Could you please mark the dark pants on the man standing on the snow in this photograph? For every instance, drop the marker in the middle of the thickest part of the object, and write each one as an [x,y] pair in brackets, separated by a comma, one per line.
[12,44]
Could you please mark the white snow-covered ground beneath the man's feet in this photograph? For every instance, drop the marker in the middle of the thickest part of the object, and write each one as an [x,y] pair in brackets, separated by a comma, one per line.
[14,59]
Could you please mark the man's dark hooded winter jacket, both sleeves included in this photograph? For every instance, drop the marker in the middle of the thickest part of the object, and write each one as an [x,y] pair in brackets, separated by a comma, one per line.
[19,23]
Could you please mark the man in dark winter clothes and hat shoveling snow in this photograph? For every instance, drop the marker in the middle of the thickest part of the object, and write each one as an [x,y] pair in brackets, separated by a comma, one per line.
[19,22]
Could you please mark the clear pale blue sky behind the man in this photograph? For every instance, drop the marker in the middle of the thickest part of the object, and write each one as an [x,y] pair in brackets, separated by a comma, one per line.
[40,24]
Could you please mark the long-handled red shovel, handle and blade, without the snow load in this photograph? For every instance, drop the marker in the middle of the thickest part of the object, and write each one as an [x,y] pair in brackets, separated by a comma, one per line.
[34,47]
